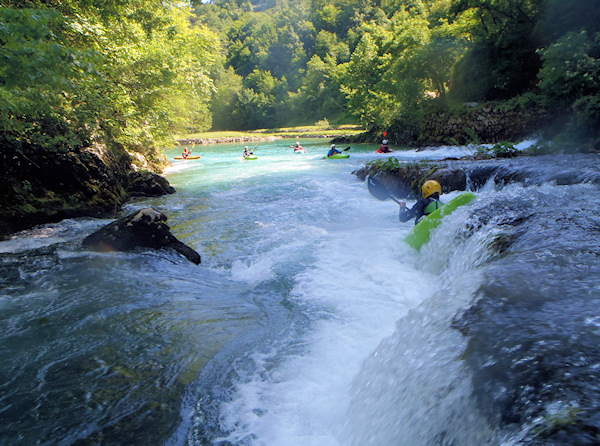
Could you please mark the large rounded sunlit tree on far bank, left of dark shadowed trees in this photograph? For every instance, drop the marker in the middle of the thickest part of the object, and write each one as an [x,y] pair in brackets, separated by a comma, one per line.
[400,64]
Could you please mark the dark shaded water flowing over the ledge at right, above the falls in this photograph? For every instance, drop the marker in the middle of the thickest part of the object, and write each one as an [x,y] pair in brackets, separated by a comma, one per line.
[533,328]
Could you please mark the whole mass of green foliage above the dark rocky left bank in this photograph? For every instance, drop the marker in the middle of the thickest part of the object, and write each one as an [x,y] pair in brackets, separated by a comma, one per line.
[110,71]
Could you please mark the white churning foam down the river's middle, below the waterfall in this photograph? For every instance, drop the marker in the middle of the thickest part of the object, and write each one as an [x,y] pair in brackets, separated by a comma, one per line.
[301,397]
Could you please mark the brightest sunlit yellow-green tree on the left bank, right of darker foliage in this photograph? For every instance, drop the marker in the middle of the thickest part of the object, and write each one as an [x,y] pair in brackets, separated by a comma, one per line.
[159,80]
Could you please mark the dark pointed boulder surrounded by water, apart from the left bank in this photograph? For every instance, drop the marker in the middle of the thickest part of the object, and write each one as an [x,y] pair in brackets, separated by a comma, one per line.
[145,228]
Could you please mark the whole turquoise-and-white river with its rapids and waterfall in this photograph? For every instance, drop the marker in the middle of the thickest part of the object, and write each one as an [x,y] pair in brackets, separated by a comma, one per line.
[309,321]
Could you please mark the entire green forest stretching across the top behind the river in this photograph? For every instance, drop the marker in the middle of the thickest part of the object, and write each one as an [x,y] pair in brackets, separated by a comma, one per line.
[134,73]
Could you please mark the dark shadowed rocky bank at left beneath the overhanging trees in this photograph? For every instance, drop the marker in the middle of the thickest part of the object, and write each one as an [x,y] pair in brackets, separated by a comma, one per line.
[40,186]
